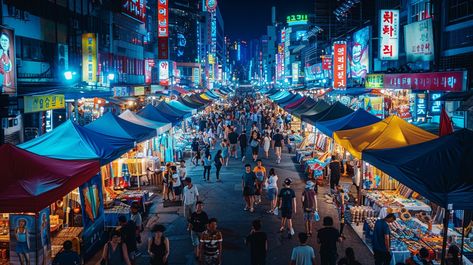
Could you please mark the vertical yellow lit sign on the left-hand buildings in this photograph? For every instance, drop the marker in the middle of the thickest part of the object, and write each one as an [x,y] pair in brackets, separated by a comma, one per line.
[89,57]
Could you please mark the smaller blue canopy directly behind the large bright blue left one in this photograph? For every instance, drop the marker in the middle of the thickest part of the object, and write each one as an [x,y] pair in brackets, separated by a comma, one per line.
[111,124]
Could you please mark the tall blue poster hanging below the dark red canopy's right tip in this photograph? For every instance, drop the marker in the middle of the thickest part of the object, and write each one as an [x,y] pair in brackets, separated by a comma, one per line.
[91,198]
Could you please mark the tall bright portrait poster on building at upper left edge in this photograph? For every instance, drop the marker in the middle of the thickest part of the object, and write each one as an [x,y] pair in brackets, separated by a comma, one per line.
[8,66]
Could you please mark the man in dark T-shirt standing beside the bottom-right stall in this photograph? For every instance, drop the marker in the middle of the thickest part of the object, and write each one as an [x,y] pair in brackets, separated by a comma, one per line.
[382,240]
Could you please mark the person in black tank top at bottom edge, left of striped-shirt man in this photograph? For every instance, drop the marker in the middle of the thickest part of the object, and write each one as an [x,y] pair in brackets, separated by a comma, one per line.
[158,246]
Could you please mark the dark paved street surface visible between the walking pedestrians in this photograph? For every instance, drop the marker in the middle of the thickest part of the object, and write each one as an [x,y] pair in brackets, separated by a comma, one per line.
[224,201]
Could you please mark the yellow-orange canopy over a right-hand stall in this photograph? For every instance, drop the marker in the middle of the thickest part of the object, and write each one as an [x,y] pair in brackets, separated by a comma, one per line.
[392,132]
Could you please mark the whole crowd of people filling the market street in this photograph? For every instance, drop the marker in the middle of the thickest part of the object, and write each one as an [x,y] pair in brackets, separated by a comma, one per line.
[223,133]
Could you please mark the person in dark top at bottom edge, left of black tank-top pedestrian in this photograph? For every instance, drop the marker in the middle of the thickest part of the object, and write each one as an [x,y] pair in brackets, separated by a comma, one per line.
[115,251]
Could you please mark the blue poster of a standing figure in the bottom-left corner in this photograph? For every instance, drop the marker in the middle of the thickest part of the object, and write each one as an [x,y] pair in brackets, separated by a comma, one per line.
[23,238]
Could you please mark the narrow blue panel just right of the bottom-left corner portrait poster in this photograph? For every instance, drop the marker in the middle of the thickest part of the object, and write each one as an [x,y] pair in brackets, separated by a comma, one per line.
[44,242]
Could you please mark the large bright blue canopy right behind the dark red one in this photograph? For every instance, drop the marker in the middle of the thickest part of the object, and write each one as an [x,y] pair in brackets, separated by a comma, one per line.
[70,141]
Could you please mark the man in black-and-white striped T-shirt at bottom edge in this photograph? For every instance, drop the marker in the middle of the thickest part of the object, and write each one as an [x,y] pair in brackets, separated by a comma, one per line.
[211,244]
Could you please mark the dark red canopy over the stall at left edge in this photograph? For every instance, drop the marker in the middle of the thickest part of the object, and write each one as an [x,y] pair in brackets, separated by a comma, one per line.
[31,182]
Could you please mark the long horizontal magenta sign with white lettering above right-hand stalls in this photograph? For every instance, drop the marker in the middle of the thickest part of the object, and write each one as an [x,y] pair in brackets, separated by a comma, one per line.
[437,81]
